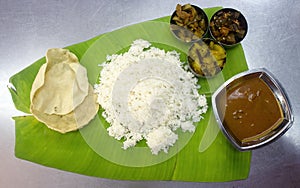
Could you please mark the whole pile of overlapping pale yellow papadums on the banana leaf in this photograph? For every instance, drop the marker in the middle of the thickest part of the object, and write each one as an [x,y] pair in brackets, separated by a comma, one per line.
[61,96]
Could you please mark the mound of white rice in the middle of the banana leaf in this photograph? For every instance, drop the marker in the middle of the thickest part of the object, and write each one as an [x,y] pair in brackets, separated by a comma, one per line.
[147,94]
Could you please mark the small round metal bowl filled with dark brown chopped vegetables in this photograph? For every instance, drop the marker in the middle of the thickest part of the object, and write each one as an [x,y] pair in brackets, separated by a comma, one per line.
[228,26]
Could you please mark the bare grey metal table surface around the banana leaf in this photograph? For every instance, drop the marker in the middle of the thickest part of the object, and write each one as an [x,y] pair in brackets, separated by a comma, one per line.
[29,27]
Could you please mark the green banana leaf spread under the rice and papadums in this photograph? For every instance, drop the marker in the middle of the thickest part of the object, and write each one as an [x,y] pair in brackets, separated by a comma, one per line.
[90,151]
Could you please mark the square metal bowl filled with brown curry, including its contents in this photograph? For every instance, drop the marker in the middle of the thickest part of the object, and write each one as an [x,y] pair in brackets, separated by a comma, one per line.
[252,109]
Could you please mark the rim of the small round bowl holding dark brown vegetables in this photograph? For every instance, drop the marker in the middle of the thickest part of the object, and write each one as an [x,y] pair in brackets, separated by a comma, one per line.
[230,9]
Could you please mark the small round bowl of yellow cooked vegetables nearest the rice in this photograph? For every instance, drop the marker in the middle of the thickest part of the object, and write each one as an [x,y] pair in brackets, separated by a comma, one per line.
[206,60]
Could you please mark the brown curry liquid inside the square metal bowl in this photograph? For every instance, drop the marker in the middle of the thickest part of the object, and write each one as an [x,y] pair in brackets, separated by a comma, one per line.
[249,109]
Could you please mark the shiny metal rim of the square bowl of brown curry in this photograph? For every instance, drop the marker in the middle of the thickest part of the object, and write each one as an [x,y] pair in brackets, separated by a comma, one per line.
[280,93]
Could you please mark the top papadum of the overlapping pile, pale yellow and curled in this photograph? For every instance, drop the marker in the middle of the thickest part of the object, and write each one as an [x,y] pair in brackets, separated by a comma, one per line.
[60,85]
